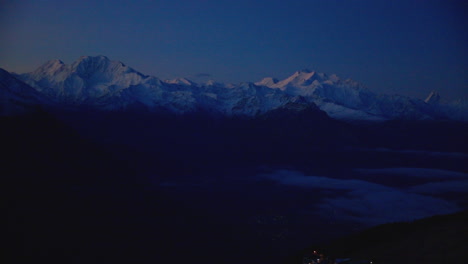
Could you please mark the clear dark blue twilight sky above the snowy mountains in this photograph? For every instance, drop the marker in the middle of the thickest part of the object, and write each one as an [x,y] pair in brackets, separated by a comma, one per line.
[407,47]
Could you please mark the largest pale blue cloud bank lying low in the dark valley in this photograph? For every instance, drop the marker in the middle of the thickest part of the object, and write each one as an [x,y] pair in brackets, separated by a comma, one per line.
[371,203]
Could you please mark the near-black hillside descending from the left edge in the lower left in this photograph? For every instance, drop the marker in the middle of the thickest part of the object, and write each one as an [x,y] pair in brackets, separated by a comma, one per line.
[67,200]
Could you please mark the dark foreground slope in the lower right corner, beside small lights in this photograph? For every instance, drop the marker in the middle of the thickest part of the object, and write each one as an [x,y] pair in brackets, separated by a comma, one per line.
[438,239]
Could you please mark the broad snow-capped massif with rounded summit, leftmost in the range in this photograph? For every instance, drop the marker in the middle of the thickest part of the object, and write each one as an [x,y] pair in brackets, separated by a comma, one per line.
[87,79]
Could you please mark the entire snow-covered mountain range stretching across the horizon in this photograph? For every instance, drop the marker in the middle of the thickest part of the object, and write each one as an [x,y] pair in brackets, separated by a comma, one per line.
[98,83]
